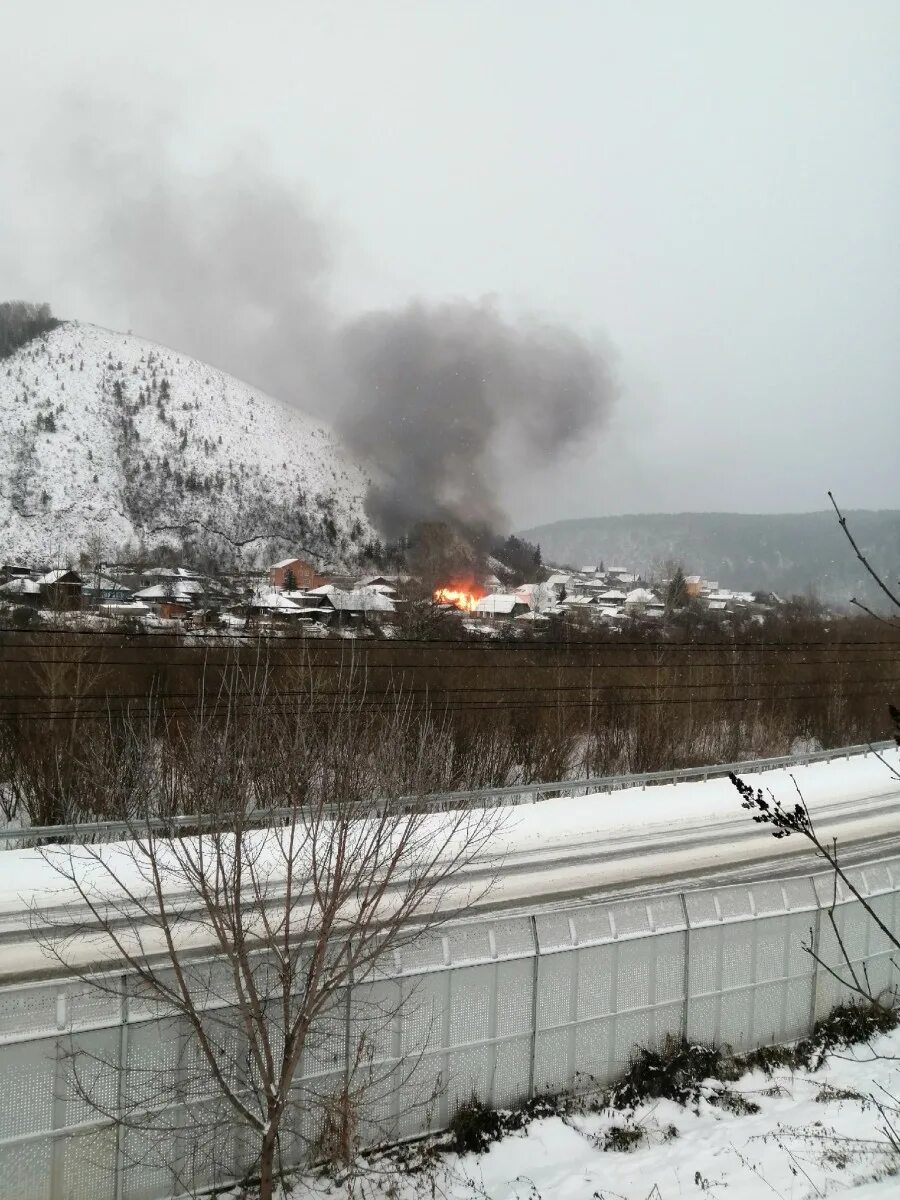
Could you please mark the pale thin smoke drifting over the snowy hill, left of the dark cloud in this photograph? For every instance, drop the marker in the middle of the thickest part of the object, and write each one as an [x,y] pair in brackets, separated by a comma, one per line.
[231,266]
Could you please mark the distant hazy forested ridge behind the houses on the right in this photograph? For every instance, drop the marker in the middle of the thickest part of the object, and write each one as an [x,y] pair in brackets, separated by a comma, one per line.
[783,553]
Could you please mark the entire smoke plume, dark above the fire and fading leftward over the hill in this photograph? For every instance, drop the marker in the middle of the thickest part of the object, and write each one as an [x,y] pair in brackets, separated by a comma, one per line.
[441,400]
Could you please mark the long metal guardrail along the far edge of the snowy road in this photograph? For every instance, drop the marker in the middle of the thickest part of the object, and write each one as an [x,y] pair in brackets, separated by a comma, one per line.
[497,797]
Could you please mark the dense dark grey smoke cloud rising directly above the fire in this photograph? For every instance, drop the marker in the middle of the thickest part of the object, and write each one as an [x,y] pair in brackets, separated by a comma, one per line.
[436,392]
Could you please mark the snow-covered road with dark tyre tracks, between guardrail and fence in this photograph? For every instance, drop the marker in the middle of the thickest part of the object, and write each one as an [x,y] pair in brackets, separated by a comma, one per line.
[578,848]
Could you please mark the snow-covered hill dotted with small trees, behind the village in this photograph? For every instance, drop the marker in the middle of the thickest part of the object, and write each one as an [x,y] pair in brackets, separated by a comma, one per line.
[110,443]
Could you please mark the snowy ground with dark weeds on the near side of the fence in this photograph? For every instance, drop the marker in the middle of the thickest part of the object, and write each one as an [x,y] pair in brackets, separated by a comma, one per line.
[817,1135]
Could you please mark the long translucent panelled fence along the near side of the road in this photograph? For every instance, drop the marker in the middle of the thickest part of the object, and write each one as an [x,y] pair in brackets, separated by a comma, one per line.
[503,1009]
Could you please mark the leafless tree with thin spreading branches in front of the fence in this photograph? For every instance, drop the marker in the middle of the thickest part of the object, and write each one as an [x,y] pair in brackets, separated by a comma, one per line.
[262,933]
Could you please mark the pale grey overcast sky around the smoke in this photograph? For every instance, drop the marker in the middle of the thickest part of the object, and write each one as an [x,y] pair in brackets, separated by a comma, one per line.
[710,189]
